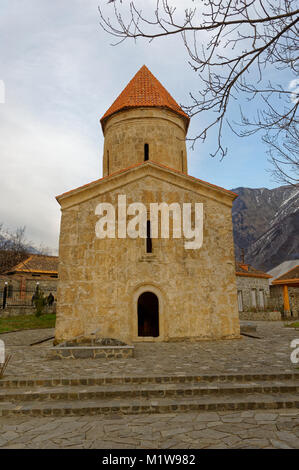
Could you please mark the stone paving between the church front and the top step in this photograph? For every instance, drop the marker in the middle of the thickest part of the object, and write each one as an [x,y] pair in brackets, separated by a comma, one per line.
[270,353]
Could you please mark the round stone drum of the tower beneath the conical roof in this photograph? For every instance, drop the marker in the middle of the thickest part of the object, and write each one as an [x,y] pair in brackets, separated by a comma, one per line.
[126,133]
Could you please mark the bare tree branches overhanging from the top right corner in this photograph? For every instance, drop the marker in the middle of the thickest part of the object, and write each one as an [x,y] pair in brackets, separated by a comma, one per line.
[233,47]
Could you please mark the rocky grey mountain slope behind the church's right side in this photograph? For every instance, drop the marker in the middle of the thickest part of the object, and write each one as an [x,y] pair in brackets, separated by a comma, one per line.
[266,225]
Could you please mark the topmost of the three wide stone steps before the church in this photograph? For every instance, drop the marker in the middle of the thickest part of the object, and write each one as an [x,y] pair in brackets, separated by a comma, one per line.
[25,382]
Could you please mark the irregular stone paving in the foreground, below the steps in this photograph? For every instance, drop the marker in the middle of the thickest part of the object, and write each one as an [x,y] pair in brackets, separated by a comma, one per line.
[247,429]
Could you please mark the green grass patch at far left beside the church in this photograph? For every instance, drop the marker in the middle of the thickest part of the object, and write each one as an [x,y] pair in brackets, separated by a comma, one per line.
[27,322]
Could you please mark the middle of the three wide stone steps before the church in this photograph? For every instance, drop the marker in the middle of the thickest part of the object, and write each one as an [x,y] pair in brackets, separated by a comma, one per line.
[201,388]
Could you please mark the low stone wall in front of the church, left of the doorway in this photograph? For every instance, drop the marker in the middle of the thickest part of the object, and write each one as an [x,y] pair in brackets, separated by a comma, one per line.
[92,352]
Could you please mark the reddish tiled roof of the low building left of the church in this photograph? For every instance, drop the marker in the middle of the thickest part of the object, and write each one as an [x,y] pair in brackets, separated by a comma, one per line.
[37,264]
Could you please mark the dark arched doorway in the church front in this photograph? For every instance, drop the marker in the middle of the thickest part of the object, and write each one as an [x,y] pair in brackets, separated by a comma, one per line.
[148,315]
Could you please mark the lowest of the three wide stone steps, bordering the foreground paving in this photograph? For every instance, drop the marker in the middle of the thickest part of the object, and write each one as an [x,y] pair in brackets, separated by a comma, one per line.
[144,405]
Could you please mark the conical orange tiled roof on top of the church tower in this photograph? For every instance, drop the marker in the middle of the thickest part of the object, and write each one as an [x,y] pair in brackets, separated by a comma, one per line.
[144,90]
